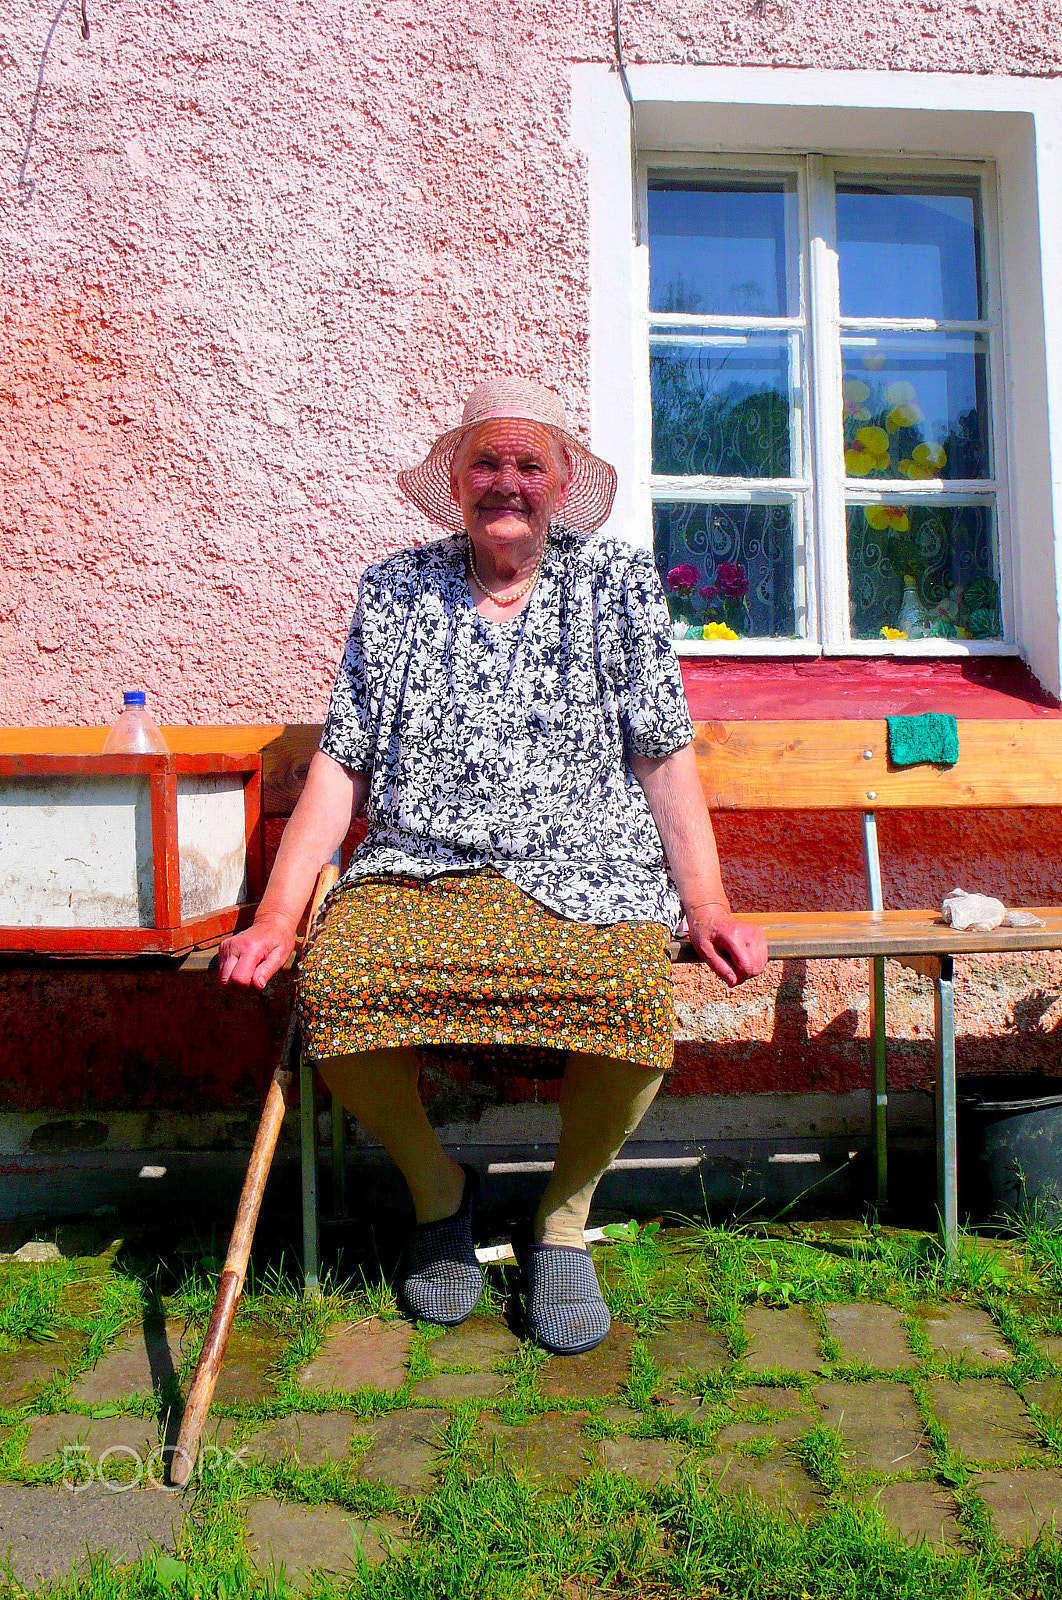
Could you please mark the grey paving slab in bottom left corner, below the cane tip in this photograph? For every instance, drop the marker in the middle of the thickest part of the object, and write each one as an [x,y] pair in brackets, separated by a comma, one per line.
[47,1532]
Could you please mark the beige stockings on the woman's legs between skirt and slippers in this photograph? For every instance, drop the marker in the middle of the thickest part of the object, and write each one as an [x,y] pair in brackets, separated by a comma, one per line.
[602,1102]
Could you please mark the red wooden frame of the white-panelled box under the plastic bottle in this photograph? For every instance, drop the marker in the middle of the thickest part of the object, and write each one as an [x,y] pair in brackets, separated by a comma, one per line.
[170,935]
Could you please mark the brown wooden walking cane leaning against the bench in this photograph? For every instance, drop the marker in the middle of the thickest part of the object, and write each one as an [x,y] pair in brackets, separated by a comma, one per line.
[231,1286]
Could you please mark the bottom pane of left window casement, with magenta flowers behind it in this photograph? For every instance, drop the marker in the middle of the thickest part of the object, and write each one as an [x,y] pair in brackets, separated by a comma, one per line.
[729,566]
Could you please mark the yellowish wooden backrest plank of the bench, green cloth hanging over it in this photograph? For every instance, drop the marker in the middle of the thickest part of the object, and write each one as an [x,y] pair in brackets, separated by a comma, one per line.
[745,766]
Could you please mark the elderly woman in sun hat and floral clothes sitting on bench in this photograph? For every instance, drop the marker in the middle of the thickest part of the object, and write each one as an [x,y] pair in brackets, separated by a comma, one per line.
[511,716]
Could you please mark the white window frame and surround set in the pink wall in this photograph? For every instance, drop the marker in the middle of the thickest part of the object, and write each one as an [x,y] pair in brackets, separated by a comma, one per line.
[714,116]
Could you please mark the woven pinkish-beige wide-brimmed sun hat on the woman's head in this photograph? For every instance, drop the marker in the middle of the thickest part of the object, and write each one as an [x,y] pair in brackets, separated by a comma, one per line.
[591,486]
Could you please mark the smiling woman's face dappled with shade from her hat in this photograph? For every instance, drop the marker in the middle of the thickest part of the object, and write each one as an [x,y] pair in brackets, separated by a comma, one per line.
[509,479]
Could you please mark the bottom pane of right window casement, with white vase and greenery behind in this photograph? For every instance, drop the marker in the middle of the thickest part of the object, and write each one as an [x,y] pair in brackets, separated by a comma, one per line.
[928,572]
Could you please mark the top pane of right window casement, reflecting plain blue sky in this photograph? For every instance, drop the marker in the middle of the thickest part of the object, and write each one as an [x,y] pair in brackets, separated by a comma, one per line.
[909,250]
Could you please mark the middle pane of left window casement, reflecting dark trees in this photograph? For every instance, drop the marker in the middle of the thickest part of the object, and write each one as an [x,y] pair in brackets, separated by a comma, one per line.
[721,406]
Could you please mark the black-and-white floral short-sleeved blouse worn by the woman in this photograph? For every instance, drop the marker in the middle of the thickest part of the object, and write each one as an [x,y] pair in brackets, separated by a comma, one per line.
[505,745]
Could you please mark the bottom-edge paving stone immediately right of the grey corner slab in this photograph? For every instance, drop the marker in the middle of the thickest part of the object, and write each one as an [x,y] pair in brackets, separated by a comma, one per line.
[303,1540]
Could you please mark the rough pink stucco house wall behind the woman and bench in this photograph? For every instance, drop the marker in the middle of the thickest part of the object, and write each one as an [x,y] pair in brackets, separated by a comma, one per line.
[257,258]
